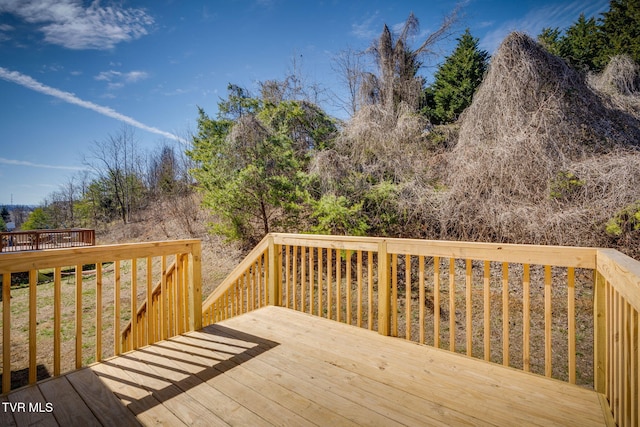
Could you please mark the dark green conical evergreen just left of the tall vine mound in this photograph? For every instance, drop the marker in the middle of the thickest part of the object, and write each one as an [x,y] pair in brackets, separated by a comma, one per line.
[456,80]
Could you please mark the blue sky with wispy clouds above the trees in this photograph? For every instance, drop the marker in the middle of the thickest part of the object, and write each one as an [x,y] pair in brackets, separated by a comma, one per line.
[73,72]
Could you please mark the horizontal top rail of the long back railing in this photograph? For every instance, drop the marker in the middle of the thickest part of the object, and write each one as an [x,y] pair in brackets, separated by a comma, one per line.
[561,256]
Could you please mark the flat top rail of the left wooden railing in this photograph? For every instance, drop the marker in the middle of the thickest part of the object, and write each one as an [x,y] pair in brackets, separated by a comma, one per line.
[61,257]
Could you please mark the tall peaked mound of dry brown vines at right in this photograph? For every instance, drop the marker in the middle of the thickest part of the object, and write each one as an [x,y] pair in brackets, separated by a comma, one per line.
[541,157]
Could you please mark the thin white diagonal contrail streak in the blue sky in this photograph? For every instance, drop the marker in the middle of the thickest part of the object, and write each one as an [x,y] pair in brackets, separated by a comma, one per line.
[30,83]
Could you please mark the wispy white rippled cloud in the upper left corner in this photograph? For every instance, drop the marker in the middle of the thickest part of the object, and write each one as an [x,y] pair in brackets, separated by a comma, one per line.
[72,24]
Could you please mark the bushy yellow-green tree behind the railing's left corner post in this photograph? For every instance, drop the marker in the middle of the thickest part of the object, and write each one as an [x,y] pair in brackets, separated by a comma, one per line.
[251,162]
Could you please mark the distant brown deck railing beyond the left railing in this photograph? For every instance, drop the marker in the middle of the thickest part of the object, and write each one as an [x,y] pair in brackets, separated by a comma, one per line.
[34,240]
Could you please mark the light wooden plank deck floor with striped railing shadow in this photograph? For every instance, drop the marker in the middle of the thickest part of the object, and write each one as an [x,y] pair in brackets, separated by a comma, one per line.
[278,366]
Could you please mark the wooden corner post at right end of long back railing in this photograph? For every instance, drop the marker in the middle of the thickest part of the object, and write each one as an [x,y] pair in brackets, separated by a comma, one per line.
[599,333]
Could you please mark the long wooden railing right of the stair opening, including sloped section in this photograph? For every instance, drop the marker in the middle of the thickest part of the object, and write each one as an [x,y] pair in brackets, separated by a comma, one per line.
[525,306]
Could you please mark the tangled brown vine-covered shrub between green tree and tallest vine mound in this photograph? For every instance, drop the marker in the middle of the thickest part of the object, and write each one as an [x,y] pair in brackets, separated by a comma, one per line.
[378,146]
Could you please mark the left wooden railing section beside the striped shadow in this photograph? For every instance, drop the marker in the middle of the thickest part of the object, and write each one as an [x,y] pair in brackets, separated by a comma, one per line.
[75,318]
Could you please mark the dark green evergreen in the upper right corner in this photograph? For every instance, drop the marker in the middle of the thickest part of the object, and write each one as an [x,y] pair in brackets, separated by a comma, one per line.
[621,30]
